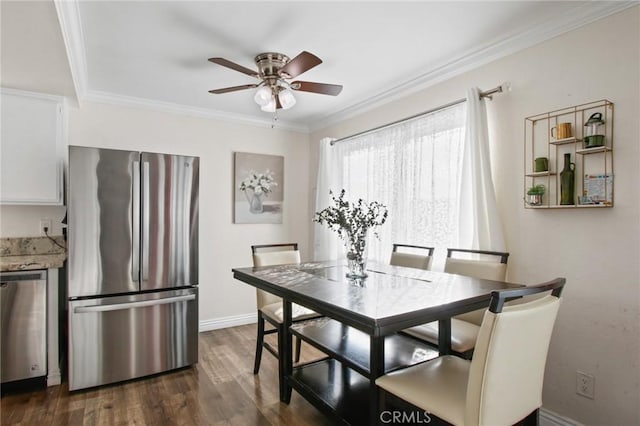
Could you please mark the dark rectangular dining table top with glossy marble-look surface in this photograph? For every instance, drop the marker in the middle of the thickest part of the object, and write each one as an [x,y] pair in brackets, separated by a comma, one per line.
[391,298]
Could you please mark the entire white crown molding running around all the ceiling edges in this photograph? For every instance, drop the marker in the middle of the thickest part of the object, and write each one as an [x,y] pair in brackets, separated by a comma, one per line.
[583,14]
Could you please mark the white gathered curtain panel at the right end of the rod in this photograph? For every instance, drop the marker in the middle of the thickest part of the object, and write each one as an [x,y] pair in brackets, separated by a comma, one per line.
[479,219]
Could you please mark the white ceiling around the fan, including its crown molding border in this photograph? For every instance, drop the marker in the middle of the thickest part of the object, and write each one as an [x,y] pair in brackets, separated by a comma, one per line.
[156,52]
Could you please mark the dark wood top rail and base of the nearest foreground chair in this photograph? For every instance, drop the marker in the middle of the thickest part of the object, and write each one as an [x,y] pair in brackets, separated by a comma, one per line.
[498,298]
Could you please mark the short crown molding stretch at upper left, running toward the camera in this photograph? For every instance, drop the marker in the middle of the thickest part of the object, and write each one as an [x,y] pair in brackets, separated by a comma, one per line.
[68,12]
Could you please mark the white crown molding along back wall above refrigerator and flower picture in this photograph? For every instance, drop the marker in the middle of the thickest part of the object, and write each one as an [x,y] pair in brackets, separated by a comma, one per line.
[168,107]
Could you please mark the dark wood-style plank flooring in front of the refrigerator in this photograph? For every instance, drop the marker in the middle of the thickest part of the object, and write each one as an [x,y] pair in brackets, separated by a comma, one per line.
[220,390]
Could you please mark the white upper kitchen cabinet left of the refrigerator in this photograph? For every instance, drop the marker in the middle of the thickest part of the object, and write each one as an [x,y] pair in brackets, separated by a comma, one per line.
[31,148]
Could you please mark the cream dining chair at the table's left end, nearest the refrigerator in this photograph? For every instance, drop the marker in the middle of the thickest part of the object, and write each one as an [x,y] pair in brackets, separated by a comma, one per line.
[270,306]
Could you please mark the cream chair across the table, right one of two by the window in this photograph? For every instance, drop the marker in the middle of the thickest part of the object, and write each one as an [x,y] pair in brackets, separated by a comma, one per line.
[488,265]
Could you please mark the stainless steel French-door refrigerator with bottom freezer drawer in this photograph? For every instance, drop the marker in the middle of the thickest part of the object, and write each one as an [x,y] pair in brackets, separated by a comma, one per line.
[133,264]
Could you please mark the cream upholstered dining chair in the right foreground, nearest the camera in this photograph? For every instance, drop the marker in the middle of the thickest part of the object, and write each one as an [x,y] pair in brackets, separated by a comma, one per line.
[502,385]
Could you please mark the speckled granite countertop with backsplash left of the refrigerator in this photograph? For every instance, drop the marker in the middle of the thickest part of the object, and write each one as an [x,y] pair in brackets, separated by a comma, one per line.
[29,253]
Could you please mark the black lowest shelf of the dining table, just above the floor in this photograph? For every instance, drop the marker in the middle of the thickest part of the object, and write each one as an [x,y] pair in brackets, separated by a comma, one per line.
[336,390]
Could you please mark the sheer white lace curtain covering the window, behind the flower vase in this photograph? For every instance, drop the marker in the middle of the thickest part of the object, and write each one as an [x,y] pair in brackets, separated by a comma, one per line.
[412,167]
